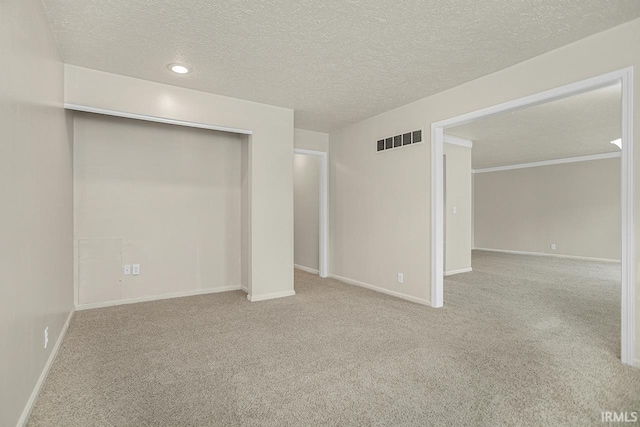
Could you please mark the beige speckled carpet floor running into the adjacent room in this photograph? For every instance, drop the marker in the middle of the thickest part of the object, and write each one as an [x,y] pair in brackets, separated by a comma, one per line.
[522,340]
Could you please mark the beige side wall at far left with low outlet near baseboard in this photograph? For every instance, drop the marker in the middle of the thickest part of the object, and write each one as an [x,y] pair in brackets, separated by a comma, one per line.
[36,258]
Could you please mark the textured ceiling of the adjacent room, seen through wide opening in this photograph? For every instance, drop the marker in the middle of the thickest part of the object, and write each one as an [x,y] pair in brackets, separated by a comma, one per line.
[576,126]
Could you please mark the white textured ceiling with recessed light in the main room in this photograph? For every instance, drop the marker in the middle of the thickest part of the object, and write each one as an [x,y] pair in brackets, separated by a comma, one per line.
[335,62]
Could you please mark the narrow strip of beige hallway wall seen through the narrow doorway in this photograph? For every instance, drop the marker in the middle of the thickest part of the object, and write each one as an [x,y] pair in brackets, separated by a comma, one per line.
[306,204]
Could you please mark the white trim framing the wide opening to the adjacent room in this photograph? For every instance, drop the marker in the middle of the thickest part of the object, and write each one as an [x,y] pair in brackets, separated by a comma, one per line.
[623,77]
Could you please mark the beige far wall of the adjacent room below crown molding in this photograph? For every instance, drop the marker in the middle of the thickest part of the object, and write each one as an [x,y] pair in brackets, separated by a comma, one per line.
[575,206]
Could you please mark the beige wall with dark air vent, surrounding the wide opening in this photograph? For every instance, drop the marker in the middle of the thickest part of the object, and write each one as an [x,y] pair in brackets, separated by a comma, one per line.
[380,204]
